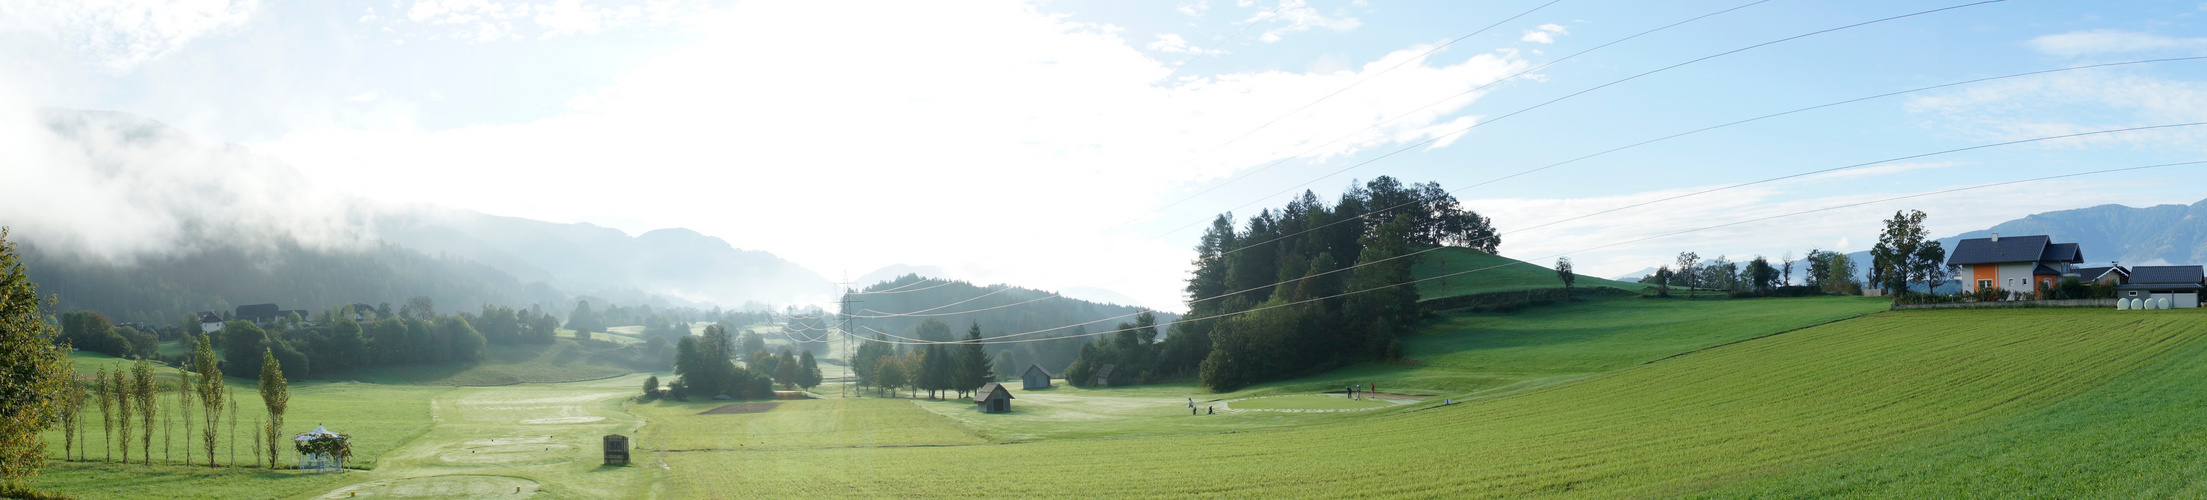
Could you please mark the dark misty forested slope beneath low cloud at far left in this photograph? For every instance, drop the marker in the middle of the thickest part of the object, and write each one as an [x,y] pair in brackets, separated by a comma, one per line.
[160,290]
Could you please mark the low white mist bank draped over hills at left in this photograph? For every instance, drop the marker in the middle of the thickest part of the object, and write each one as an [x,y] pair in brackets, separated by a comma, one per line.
[182,224]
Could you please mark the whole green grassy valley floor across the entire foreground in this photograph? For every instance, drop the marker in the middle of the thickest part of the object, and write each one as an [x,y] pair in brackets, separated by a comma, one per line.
[1815,398]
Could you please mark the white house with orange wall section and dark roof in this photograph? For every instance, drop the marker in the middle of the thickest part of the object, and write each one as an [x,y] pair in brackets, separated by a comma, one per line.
[2018,263]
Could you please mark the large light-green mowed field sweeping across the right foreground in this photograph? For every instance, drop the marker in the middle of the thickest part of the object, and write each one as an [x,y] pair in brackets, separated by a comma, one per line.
[1734,415]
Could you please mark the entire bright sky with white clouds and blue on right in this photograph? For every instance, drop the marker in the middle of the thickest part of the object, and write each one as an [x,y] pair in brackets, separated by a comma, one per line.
[1083,144]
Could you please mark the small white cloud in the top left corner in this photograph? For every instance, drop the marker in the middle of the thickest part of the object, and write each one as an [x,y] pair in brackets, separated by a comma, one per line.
[120,36]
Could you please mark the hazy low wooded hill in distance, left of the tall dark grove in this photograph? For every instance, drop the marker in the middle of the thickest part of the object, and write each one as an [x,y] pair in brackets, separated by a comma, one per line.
[899,307]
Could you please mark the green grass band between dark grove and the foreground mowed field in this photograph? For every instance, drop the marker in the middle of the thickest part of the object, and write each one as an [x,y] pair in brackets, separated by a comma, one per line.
[1458,358]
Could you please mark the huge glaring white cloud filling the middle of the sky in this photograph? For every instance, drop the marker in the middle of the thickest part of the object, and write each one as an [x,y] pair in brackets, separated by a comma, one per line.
[935,146]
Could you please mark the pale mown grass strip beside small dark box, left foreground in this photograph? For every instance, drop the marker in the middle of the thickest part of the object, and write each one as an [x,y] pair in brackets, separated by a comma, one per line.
[513,442]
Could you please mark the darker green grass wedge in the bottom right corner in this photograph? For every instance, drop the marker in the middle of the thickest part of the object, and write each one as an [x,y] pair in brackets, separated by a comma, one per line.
[2135,437]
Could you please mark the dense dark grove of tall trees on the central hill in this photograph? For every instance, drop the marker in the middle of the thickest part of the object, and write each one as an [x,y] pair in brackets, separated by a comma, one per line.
[1283,265]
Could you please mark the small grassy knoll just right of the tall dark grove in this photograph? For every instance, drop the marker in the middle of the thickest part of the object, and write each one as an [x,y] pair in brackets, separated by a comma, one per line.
[1506,274]
